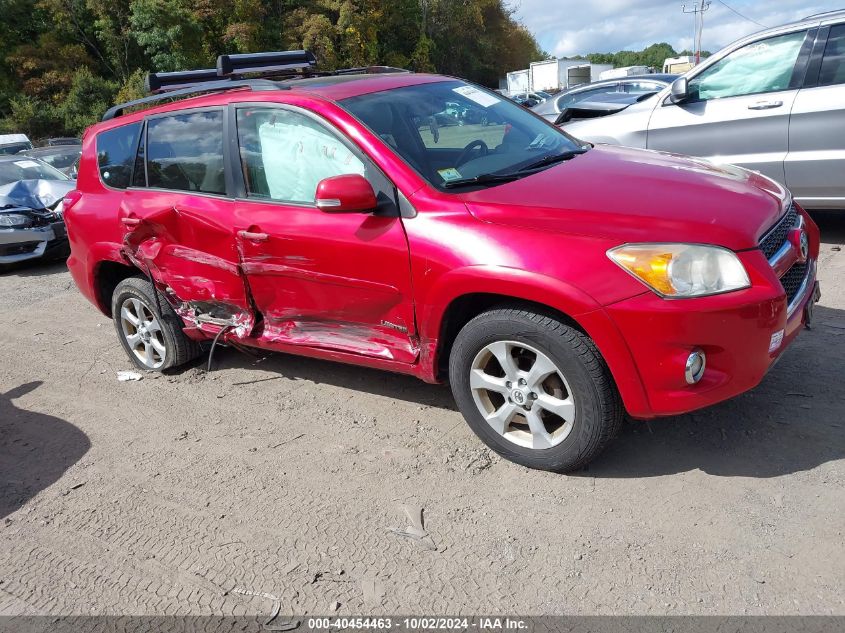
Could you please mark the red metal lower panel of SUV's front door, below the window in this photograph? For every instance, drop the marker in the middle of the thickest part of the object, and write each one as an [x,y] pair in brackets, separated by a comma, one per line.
[329,281]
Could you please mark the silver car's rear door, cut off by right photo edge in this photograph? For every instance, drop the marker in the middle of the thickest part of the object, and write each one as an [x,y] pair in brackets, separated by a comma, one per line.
[815,165]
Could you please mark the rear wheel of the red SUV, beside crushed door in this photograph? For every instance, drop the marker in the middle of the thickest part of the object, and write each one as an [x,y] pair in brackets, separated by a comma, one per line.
[160,344]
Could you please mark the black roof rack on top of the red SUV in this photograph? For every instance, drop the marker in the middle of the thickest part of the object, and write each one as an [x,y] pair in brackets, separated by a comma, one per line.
[229,75]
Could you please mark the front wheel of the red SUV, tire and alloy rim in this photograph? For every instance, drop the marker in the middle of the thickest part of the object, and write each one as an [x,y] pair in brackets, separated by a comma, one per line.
[577,403]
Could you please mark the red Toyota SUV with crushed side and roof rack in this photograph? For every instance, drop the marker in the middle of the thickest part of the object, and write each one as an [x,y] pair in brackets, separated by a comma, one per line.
[349,217]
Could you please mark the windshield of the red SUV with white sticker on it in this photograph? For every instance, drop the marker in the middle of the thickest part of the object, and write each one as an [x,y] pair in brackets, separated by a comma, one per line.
[450,131]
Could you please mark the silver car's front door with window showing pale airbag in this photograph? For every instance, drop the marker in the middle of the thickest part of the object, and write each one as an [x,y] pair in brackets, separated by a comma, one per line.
[739,107]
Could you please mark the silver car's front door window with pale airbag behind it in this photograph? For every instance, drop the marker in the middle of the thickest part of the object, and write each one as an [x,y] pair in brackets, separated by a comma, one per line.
[764,66]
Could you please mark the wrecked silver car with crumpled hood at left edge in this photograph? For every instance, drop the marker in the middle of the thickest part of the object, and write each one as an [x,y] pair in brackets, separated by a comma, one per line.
[31,201]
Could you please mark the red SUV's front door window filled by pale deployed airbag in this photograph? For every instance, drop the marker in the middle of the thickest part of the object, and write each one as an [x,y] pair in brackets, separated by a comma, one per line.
[286,154]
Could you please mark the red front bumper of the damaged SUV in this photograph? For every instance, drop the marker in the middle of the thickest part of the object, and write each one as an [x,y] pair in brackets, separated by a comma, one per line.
[742,334]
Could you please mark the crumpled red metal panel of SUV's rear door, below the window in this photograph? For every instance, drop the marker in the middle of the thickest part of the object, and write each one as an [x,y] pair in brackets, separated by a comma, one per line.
[187,244]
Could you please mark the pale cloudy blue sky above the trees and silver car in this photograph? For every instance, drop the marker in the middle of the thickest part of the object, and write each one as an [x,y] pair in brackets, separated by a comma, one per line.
[572,27]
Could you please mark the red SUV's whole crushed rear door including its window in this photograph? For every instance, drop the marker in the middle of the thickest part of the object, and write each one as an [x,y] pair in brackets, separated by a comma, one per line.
[178,216]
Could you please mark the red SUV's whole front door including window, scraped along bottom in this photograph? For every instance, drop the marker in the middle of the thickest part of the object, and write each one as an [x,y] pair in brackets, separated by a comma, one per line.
[332,281]
